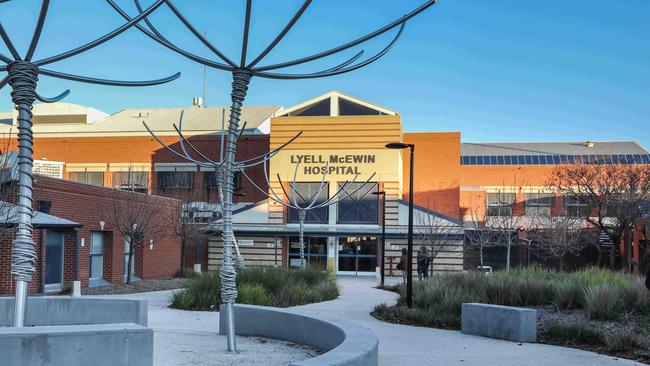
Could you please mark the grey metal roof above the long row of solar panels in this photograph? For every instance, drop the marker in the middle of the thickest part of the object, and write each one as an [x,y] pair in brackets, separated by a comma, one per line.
[551,148]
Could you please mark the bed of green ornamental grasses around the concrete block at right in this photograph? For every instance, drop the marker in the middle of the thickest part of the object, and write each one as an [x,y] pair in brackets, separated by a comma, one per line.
[592,309]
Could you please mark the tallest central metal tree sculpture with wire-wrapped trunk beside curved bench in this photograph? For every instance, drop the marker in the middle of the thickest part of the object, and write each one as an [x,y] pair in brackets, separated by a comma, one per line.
[242,72]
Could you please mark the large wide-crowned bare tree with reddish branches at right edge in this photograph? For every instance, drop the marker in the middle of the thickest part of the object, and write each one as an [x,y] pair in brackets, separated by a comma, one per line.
[613,194]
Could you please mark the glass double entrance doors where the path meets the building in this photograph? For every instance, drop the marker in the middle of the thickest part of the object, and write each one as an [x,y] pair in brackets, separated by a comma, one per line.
[357,255]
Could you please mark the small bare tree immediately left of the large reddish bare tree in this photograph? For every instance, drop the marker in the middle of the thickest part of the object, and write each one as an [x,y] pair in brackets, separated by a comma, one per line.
[560,236]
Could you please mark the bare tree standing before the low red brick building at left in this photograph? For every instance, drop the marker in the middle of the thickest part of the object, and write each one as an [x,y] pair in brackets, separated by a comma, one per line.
[137,216]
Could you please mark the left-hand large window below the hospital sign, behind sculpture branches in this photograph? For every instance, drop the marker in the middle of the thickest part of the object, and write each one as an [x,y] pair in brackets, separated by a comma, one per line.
[305,193]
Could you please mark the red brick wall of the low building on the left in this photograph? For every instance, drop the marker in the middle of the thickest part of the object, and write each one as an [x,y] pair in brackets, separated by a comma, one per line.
[88,205]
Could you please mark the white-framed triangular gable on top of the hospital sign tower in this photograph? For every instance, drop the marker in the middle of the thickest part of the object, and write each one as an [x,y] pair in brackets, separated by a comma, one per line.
[333,104]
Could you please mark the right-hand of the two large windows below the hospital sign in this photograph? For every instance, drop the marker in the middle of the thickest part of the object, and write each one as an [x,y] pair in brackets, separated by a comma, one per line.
[358,205]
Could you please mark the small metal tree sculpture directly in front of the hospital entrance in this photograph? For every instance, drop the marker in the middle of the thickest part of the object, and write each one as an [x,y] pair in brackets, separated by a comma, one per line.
[297,201]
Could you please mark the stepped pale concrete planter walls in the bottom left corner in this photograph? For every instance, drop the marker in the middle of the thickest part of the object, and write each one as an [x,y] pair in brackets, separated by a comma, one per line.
[77,331]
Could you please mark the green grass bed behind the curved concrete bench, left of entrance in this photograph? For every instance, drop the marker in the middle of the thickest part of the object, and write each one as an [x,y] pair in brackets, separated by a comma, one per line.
[266,286]
